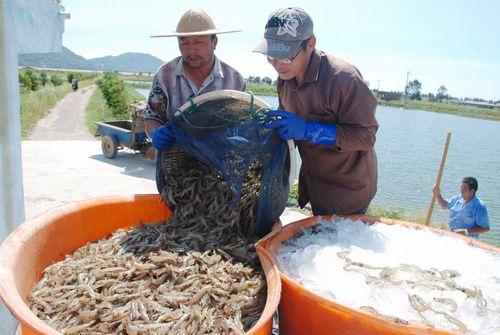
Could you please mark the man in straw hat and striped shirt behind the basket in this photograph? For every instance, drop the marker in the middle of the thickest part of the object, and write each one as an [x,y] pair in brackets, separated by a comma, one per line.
[195,72]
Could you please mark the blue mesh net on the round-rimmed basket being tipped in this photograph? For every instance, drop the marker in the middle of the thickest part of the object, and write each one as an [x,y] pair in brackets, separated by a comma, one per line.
[224,130]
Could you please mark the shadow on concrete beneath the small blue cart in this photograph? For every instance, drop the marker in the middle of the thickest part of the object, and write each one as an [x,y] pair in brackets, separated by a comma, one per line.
[132,164]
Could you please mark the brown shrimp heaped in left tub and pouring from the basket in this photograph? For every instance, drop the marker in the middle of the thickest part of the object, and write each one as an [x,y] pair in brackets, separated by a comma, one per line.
[196,273]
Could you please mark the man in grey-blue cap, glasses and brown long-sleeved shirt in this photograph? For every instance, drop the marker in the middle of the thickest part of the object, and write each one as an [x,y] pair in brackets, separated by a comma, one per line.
[325,105]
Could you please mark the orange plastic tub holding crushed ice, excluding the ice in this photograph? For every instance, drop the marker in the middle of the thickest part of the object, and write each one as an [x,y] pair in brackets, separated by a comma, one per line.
[301,312]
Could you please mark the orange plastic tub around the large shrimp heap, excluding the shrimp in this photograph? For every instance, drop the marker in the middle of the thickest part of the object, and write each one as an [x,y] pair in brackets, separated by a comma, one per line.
[39,242]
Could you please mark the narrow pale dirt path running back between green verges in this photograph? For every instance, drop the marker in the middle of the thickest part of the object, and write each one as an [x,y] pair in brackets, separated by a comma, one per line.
[66,121]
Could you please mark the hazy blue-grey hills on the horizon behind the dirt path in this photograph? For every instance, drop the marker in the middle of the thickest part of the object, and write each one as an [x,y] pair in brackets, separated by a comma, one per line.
[127,62]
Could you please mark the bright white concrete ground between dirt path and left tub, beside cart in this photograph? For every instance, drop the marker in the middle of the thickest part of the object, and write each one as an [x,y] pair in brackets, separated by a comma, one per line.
[60,172]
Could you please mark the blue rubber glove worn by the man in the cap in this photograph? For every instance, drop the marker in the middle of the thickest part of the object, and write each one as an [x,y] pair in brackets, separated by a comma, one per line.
[292,127]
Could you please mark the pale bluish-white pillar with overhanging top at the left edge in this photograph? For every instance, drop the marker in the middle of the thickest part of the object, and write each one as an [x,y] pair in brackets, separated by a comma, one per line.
[26,26]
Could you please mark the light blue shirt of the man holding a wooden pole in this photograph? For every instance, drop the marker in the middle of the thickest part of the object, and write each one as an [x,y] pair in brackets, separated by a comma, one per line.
[469,216]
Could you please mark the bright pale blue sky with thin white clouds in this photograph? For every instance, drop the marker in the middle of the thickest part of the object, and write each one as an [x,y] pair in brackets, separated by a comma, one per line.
[451,43]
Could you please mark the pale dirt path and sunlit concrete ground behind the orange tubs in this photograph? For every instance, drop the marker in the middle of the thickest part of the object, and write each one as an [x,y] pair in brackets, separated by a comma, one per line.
[63,163]
